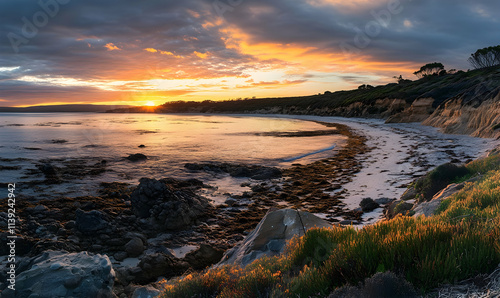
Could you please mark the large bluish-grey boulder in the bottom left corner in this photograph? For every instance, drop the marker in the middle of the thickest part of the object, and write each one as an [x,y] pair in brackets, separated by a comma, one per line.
[62,274]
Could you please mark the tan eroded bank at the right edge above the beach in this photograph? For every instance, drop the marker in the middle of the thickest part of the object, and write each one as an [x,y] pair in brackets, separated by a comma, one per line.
[479,117]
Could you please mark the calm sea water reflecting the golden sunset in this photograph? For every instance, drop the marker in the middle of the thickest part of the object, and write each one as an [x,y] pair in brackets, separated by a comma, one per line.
[170,140]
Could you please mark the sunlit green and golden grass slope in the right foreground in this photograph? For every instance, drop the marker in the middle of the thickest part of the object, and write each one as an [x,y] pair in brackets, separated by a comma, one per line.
[460,241]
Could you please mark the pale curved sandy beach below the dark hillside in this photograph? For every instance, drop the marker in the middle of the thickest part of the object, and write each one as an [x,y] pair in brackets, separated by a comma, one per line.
[398,153]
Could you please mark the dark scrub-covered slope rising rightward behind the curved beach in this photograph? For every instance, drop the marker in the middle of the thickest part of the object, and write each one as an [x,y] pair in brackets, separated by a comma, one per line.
[438,87]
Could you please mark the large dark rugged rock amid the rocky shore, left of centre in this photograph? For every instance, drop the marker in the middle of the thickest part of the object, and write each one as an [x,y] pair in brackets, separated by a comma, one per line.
[169,208]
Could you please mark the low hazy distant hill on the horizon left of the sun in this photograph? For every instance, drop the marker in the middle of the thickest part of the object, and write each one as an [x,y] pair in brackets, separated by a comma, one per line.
[70,108]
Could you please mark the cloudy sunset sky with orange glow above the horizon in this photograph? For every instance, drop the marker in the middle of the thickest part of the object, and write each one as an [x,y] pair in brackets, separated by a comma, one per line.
[145,52]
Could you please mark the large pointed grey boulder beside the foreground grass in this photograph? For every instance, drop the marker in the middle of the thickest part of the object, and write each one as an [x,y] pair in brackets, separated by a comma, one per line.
[270,236]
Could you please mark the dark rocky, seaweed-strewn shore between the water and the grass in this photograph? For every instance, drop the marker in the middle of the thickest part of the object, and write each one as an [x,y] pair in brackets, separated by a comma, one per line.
[135,235]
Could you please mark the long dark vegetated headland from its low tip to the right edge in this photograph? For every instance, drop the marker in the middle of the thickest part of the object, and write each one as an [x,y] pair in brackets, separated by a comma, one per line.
[440,88]
